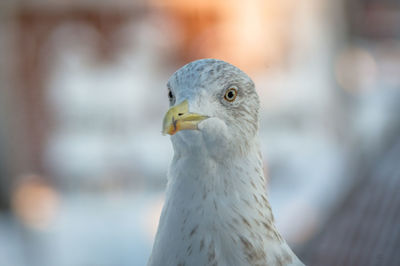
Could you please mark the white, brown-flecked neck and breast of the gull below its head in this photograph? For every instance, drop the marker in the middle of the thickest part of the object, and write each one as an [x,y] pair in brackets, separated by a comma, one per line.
[219,208]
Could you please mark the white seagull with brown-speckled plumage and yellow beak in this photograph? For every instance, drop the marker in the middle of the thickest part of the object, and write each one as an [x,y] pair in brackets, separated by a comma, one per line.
[216,210]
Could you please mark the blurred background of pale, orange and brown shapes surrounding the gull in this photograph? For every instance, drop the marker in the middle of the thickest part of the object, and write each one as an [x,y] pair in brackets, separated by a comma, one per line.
[82,95]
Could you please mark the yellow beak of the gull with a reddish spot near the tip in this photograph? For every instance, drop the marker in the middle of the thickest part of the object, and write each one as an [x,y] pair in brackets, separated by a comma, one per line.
[178,118]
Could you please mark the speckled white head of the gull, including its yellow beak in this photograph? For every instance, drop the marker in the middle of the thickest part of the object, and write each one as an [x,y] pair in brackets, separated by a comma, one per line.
[213,103]
